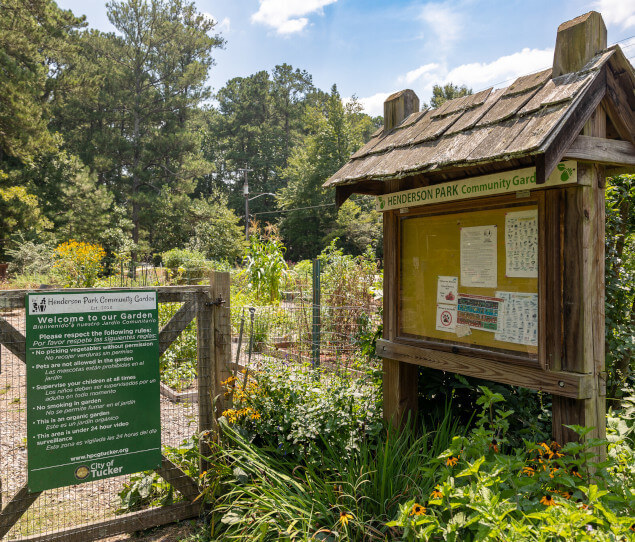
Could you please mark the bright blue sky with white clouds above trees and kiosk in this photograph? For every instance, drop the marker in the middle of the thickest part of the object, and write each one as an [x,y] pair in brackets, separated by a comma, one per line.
[371,48]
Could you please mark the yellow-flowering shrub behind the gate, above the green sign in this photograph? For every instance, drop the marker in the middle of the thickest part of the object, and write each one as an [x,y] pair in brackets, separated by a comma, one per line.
[78,264]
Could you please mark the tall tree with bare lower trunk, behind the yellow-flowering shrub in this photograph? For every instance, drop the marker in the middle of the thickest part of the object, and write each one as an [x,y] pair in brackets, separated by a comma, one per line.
[137,128]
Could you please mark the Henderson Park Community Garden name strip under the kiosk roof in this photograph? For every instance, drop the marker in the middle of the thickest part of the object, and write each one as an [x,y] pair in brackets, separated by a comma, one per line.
[486,185]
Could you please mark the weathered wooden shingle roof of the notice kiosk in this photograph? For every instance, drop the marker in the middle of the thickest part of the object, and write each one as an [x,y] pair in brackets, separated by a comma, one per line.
[494,129]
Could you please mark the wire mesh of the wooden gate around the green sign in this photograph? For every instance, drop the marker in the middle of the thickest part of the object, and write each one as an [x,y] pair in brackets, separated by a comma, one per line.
[62,509]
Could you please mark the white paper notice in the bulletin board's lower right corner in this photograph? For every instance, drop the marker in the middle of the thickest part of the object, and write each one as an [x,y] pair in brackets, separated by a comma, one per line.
[518,318]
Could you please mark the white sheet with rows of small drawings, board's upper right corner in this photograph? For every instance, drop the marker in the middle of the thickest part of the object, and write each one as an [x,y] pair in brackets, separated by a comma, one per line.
[521,244]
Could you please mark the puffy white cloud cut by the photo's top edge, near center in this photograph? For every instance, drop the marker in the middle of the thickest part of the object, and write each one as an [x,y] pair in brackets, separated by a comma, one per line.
[288,16]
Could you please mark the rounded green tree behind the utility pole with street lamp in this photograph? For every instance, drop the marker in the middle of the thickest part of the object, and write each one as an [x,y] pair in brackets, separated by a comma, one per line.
[258,121]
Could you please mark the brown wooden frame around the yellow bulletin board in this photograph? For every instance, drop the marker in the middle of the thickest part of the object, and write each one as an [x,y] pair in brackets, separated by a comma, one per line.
[506,203]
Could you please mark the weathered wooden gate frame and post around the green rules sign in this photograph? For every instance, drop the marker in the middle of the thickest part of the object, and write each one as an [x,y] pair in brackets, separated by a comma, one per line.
[210,306]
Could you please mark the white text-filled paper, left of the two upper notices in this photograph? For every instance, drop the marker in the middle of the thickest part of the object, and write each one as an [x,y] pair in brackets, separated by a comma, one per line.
[478,256]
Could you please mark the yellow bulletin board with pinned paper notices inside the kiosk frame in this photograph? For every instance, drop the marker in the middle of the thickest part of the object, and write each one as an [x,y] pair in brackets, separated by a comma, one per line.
[501,310]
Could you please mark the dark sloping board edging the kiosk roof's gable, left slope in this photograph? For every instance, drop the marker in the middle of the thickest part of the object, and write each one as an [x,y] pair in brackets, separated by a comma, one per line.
[579,113]
